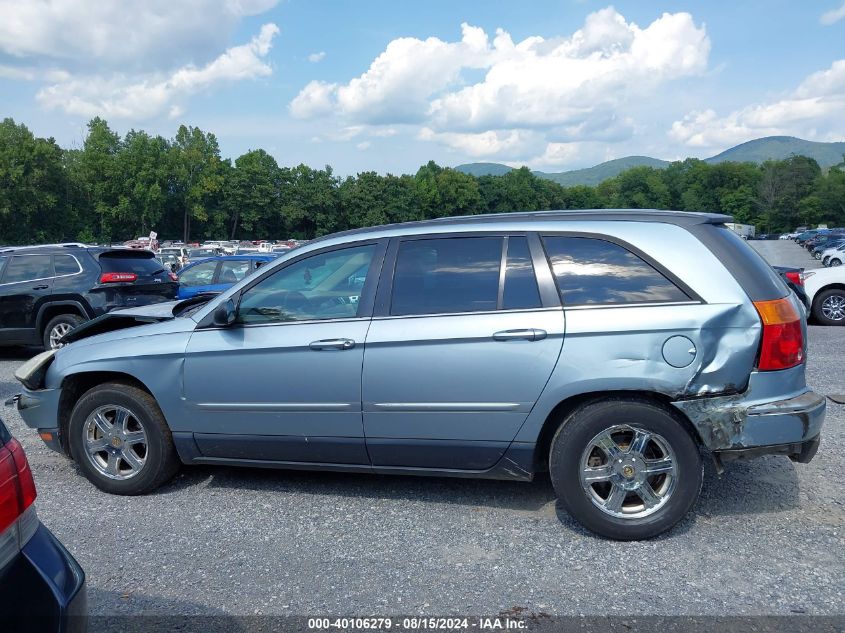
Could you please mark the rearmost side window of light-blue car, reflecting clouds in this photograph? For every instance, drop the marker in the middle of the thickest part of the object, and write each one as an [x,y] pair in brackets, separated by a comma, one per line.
[591,271]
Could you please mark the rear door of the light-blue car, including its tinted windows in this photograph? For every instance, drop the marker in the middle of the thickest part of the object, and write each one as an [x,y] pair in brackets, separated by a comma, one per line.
[461,345]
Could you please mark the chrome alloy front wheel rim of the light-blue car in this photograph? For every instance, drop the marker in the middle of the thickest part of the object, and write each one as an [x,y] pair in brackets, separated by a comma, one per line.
[115,442]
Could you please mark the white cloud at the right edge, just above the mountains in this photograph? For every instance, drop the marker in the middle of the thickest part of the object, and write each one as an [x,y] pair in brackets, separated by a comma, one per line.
[813,110]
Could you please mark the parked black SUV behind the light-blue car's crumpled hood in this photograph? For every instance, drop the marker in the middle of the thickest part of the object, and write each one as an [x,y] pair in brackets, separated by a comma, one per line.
[45,291]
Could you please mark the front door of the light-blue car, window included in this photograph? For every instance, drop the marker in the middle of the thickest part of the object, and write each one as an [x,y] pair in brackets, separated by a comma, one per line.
[283,383]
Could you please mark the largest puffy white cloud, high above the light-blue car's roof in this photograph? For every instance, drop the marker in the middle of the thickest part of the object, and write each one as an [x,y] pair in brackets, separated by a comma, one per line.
[538,90]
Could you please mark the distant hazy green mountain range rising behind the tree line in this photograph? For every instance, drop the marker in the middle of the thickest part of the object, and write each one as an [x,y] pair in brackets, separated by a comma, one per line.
[756,151]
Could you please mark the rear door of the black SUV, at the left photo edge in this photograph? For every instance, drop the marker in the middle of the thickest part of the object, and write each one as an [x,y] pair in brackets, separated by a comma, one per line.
[25,285]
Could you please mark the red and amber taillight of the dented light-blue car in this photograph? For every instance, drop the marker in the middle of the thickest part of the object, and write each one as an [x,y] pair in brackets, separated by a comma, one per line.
[783,341]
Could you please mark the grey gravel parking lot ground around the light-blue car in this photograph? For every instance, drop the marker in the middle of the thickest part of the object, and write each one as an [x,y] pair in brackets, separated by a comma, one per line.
[767,537]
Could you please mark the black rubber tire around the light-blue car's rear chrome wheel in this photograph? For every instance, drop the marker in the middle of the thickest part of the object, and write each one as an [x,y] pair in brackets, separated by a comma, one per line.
[576,433]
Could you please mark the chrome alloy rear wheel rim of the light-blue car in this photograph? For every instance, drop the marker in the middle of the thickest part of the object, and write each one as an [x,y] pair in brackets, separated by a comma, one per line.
[628,472]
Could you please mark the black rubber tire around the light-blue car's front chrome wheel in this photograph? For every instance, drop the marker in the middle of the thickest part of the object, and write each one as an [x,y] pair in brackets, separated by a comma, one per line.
[160,460]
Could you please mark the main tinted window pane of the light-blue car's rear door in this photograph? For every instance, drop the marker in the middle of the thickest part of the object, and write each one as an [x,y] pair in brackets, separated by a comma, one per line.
[447,275]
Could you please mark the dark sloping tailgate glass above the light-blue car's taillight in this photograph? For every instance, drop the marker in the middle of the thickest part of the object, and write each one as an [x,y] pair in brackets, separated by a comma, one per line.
[759,281]
